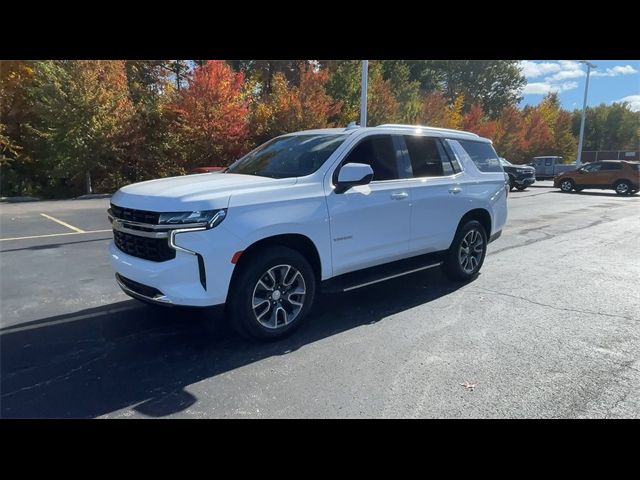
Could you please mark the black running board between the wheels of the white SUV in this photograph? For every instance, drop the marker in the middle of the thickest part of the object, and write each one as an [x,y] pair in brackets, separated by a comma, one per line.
[381,273]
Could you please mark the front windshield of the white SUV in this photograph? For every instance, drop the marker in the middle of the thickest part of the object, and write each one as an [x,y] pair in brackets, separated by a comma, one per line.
[289,156]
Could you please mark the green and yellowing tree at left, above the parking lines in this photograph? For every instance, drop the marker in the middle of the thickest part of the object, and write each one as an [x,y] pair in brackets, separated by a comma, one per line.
[81,109]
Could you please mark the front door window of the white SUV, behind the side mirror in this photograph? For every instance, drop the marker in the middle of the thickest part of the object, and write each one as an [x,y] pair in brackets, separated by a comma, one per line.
[379,152]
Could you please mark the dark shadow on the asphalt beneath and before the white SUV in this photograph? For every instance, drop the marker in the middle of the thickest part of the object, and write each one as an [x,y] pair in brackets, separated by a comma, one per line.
[130,355]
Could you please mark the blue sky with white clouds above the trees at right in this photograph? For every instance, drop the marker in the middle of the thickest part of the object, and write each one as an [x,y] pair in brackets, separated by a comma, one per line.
[613,80]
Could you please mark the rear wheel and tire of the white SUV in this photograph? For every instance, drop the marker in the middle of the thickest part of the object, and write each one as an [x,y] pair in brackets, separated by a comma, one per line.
[459,267]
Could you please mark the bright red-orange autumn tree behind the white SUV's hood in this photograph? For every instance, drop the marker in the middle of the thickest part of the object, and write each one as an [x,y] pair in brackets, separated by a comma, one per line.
[211,115]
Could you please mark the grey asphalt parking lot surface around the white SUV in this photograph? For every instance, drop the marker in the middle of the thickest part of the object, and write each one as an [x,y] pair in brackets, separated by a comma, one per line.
[550,329]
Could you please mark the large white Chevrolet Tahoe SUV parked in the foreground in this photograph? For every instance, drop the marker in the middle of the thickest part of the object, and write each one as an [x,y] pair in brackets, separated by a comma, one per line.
[335,209]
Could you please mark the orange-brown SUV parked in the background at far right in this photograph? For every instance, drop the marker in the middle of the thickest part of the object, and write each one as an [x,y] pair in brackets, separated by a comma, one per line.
[619,175]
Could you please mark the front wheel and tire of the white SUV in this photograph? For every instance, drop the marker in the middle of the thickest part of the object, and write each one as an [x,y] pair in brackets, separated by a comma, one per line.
[273,271]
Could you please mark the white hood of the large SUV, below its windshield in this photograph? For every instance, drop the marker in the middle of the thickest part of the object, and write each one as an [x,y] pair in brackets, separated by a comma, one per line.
[197,192]
